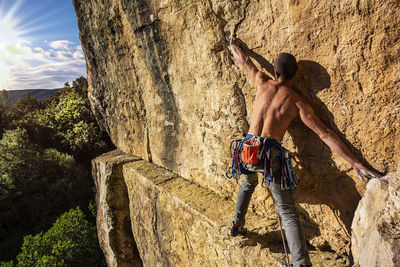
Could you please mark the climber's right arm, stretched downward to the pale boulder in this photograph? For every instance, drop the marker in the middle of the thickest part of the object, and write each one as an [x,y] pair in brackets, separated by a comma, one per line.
[330,138]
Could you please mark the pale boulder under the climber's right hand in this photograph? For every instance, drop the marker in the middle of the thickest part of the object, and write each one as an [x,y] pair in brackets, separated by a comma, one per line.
[376,225]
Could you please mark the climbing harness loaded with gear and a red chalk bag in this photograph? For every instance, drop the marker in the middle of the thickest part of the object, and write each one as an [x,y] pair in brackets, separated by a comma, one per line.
[251,150]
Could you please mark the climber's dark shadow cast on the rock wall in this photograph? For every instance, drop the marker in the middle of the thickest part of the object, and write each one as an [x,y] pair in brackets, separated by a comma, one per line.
[323,182]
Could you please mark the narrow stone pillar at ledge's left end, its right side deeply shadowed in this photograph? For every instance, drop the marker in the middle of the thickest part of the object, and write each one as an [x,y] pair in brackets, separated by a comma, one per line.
[113,218]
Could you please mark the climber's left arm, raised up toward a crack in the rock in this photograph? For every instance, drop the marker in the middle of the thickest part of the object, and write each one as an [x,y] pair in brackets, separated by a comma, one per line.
[237,49]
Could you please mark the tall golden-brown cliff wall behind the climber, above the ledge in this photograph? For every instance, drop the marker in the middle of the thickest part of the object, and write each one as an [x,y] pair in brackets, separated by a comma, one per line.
[164,86]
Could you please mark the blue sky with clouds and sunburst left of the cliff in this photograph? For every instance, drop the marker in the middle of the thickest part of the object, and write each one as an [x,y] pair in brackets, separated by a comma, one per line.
[39,44]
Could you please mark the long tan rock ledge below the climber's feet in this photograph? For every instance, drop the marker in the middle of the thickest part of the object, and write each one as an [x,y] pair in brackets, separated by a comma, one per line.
[176,222]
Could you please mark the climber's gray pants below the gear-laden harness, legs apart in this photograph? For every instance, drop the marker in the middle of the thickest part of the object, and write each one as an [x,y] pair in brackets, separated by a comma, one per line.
[284,202]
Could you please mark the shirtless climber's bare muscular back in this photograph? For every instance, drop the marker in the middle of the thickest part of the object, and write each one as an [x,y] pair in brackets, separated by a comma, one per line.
[274,108]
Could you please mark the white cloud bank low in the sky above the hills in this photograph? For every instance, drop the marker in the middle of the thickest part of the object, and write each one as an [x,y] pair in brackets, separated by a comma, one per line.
[40,67]
